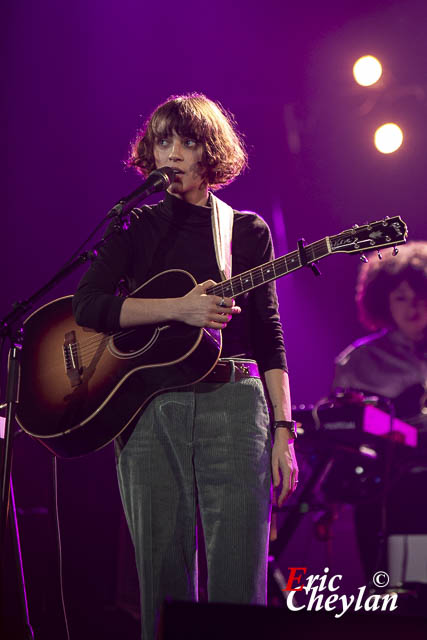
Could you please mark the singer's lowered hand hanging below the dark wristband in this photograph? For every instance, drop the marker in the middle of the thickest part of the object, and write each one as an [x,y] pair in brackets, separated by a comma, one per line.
[284,464]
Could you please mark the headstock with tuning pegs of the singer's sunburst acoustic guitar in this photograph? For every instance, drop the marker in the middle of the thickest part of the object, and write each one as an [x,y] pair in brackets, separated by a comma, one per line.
[374,235]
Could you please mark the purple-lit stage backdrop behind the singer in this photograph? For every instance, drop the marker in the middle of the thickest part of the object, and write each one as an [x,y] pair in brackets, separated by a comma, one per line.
[79,80]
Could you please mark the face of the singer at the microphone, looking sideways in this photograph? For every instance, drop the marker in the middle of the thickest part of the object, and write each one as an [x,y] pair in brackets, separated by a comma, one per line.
[184,155]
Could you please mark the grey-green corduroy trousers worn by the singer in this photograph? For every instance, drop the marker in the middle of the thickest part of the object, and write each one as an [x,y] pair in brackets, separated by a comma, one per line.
[207,444]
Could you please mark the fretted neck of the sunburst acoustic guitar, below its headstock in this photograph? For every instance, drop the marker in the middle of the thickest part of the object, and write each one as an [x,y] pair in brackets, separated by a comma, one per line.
[272,270]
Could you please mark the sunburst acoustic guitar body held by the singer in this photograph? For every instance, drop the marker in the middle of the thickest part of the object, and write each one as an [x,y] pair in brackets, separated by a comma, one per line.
[79,389]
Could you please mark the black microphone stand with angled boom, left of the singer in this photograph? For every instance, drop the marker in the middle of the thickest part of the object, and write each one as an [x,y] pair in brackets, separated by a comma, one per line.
[119,213]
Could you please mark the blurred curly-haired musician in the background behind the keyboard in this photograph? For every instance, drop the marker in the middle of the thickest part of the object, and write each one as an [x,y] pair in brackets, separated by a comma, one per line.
[391,296]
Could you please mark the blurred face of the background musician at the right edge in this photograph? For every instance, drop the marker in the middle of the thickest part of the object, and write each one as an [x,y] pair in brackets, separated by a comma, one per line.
[408,311]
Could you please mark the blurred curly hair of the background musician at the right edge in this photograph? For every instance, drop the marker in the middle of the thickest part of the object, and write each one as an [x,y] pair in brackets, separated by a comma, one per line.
[378,278]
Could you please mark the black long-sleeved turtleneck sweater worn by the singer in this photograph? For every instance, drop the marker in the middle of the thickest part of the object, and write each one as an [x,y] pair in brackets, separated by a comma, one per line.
[176,235]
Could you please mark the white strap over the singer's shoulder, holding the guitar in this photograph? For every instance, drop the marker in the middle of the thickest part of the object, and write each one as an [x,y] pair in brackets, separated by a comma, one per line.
[222,231]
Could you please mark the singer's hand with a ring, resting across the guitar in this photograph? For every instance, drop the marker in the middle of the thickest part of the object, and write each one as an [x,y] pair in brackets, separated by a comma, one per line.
[198,309]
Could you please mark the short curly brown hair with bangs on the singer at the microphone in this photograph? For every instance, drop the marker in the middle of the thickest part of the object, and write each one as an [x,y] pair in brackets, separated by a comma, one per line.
[194,116]
